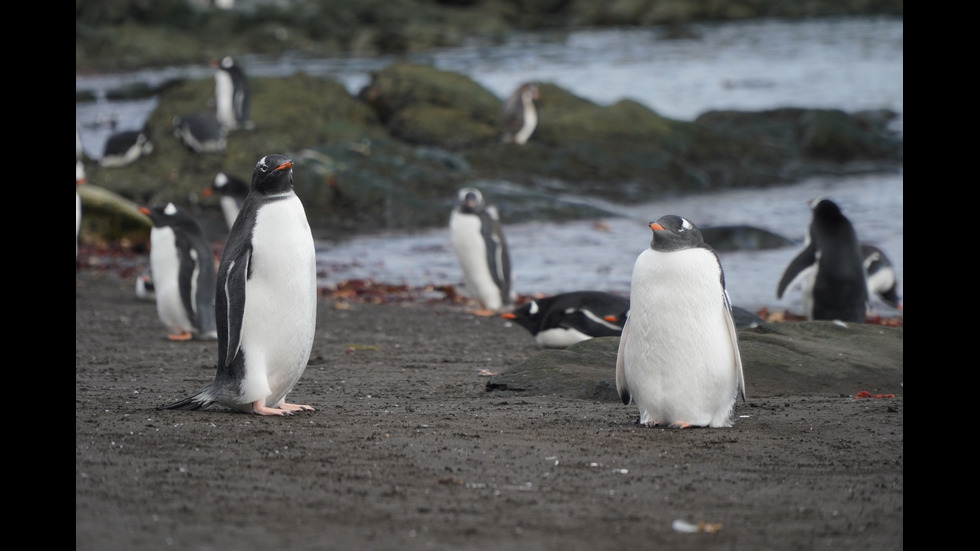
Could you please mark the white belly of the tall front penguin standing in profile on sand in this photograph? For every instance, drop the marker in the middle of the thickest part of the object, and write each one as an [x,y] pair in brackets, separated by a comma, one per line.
[280,309]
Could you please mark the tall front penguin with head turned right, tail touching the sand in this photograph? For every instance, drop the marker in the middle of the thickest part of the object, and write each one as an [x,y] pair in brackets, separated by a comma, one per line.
[266,300]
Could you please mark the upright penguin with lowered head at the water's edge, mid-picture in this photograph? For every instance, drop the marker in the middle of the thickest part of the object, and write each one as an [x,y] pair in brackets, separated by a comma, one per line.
[477,238]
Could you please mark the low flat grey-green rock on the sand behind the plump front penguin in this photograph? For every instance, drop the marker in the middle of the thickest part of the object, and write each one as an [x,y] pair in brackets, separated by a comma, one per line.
[779,359]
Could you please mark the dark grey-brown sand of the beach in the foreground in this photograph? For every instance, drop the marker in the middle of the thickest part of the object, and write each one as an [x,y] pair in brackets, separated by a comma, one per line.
[407,449]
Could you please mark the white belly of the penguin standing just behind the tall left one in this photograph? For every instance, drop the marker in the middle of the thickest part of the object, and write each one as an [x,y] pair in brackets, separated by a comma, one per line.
[166,269]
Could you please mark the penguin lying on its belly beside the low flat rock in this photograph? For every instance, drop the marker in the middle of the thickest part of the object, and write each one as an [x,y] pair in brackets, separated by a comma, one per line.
[562,320]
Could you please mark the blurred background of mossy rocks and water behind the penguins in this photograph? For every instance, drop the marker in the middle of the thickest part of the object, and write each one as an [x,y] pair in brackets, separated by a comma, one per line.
[731,91]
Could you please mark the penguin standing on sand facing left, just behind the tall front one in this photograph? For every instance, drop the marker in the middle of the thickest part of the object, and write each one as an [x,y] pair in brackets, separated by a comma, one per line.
[183,273]
